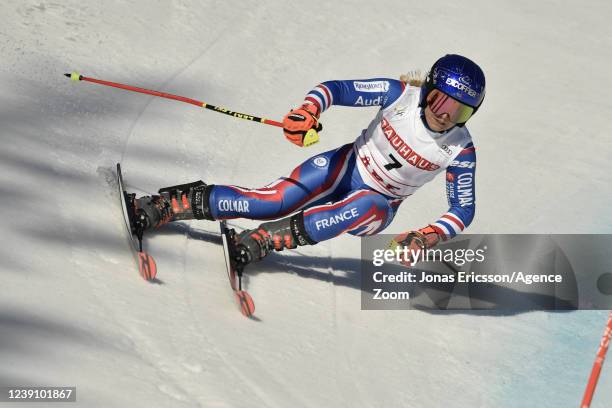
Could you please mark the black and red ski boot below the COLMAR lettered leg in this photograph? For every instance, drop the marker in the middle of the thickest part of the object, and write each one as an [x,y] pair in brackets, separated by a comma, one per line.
[175,203]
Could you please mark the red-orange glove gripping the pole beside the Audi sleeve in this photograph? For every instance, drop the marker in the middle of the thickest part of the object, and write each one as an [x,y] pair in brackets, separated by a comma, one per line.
[298,123]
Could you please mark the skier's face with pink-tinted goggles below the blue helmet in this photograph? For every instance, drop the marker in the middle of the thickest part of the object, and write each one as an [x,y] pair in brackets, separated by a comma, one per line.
[443,112]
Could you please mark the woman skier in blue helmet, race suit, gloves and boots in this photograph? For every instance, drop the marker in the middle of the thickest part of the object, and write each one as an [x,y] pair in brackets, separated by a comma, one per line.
[358,187]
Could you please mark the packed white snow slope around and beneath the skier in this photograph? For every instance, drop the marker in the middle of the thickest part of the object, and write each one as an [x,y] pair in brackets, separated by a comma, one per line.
[73,310]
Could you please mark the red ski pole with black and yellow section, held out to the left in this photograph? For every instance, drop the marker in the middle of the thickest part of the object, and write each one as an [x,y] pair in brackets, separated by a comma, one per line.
[310,138]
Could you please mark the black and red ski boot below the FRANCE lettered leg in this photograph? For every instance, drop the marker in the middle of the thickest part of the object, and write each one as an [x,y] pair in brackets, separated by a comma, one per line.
[255,244]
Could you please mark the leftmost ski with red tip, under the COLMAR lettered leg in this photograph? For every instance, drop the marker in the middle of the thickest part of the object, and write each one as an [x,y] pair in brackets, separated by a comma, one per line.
[146,264]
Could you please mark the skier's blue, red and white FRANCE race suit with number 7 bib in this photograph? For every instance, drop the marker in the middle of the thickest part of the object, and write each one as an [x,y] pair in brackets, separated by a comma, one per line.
[358,187]
